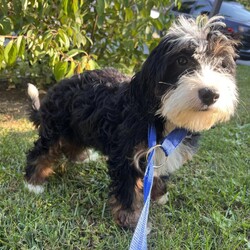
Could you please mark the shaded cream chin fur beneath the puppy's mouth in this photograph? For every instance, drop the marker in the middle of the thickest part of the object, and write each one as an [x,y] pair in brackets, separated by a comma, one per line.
[197,120]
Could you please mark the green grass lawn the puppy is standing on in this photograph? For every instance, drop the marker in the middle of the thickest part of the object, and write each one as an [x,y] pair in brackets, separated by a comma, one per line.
[209,205]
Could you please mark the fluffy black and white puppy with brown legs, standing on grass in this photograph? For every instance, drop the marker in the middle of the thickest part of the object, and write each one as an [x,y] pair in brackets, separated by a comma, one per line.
[188,81]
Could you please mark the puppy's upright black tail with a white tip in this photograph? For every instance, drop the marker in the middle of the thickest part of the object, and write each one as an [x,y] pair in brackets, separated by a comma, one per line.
[34,114]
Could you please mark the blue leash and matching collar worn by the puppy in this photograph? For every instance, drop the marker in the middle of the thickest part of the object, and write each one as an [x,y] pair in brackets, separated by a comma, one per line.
[170,142]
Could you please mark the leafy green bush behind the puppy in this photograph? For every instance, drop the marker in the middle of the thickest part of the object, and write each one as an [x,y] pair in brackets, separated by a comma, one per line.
[63,37]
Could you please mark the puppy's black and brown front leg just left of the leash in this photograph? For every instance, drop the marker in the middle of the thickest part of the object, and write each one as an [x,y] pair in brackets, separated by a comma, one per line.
[126,197]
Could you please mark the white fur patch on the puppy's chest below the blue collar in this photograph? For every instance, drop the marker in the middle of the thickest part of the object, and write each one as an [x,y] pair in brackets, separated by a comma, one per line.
[167,165]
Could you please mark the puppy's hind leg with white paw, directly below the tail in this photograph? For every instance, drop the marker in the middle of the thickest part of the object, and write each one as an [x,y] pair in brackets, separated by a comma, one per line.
[40,162]
